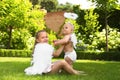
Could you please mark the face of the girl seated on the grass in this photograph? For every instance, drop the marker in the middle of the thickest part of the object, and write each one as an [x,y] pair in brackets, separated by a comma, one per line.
[42,37]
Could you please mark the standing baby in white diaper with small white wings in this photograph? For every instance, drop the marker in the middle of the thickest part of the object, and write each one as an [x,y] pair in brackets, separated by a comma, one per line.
[69,41]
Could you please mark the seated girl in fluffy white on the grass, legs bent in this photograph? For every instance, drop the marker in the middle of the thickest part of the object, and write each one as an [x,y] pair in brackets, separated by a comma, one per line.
[42,58]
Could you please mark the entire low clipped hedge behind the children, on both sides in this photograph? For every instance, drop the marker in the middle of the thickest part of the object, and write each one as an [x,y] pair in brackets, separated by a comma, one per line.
[90,55]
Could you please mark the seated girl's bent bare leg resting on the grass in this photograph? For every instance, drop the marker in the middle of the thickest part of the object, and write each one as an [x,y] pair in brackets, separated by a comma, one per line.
[62,64]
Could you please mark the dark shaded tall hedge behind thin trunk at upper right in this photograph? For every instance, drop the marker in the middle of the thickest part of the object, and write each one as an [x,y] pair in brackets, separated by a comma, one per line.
[113,17]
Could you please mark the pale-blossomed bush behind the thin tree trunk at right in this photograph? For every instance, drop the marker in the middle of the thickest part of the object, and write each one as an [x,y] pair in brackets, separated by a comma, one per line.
[98,43]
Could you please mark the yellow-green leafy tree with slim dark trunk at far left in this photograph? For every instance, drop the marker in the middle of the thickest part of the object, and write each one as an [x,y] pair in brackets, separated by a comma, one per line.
[13,15]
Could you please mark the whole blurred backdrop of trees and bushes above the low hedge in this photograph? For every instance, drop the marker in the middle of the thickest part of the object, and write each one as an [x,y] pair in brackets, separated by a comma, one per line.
[97,29]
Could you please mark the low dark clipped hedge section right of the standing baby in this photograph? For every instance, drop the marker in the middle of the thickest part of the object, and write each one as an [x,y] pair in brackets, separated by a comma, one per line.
[99,55]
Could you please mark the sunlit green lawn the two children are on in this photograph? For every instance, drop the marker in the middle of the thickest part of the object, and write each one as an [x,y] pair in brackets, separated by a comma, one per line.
[13,69]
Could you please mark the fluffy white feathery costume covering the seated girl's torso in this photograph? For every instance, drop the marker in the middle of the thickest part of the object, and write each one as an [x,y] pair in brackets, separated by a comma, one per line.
[42,58]
